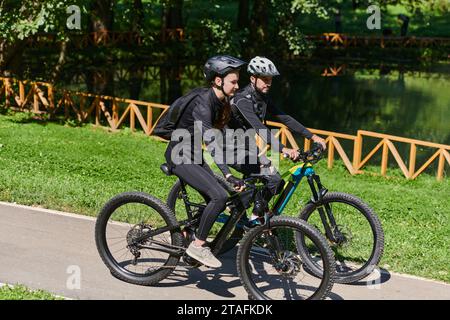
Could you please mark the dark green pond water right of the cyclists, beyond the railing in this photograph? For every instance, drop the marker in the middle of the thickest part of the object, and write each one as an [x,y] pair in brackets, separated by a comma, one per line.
[413,104]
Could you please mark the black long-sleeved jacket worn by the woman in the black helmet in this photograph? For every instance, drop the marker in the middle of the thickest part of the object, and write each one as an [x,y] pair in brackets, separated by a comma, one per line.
[204,108]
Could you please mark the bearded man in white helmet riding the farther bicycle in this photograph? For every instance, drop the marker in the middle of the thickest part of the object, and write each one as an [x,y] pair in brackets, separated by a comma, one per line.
[251,107]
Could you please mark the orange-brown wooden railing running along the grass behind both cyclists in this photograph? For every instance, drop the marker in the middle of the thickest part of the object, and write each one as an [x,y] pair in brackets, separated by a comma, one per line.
[43,98]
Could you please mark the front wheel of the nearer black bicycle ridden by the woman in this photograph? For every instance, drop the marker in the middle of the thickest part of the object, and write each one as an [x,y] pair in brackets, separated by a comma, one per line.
[270,267]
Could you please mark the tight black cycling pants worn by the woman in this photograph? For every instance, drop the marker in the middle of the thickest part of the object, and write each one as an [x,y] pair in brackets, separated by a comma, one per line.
[202,179]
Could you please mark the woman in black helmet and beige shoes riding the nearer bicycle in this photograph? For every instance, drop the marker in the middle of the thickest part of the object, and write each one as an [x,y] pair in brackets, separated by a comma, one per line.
[208,109]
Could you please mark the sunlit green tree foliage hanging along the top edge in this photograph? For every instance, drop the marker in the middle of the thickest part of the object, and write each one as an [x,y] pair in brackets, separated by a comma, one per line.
[269,27]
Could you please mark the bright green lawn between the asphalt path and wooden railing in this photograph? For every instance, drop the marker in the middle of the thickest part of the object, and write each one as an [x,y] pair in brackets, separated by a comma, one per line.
[77,169]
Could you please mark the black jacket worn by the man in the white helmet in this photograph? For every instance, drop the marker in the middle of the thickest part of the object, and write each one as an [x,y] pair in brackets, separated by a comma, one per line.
[251,109]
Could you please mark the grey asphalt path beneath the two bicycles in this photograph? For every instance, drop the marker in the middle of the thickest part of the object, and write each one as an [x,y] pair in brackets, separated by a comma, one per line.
[55,251]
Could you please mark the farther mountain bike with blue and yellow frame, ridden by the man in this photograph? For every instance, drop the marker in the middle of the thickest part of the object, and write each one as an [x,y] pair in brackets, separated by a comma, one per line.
[352,228]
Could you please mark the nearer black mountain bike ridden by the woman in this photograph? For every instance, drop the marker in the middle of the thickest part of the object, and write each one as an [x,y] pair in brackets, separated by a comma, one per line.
[141,241]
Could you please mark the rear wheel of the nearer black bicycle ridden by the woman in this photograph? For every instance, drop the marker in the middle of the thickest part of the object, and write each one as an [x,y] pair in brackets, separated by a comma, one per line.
[122,221]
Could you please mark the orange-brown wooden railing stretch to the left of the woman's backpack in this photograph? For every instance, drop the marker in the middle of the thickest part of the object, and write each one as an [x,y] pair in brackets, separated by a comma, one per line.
[43,98]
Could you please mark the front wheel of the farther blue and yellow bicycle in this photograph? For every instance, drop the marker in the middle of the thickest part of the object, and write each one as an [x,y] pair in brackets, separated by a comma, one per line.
[356,236]
